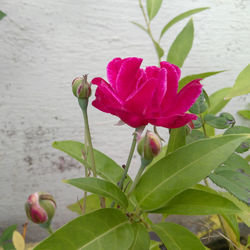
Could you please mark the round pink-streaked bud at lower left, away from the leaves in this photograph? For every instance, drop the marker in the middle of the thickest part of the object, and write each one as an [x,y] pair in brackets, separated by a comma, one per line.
[40,208]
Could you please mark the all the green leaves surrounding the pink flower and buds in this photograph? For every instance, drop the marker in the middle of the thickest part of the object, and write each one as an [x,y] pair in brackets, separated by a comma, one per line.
[169,184]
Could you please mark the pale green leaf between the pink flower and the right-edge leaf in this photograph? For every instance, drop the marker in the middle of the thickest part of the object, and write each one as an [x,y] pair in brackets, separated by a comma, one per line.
[217,101]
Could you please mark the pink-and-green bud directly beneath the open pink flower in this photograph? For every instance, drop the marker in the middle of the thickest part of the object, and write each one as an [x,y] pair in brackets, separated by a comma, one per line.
[149,146]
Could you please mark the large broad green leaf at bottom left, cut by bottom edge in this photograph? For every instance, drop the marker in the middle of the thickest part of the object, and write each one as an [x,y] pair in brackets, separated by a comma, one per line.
[103,229]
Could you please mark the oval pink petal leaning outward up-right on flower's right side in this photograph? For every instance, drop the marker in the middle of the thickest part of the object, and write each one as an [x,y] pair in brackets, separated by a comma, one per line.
[187,96]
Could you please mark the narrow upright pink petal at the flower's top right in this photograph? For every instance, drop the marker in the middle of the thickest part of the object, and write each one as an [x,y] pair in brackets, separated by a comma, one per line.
[173,76]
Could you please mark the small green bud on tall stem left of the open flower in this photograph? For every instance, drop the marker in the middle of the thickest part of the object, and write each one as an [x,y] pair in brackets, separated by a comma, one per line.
[81,87]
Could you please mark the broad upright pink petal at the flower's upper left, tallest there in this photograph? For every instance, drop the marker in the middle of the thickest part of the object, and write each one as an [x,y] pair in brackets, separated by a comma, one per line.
[127,77]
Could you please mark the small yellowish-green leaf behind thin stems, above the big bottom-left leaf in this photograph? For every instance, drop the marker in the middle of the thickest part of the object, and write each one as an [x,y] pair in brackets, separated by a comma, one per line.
[92,204]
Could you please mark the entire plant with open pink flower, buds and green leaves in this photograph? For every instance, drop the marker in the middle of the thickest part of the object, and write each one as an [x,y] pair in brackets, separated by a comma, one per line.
[115,214]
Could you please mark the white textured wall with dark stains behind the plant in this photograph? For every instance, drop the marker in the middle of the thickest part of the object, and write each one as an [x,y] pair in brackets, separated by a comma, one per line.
[45,44]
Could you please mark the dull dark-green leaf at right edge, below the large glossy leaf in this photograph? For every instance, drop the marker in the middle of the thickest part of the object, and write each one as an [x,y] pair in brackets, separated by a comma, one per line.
[234,182]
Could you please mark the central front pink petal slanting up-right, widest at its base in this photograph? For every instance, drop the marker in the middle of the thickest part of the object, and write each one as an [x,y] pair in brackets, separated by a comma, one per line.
[141,99]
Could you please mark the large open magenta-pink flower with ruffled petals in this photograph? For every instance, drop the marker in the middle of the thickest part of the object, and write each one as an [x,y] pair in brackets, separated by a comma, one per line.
[139,96]
